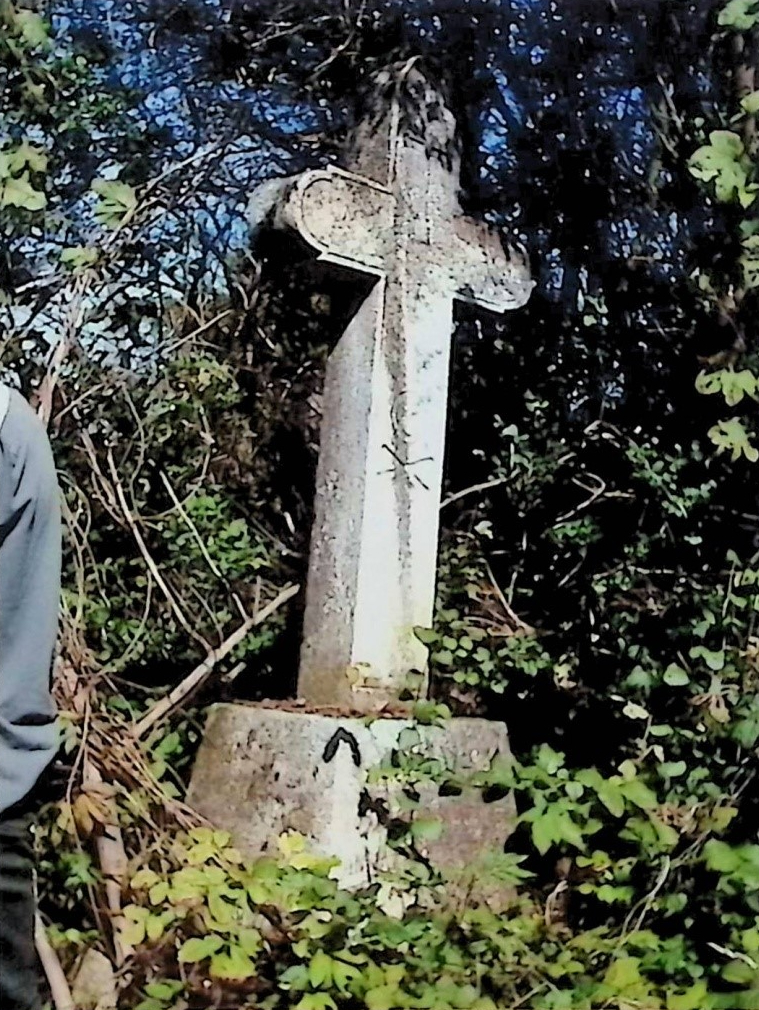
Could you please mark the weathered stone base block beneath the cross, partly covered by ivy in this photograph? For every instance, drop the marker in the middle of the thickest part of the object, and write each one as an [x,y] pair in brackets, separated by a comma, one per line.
[261,772]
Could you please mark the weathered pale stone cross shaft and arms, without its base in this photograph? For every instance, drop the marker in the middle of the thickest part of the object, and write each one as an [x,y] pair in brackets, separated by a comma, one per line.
[397,218]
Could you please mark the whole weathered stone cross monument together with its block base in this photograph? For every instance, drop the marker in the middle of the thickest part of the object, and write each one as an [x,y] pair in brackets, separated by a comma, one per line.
[395,218]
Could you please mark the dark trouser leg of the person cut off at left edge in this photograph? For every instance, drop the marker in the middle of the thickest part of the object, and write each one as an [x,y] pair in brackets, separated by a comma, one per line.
[20,969]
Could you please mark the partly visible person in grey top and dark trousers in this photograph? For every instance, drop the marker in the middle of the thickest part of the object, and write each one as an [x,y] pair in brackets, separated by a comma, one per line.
[30,589]
